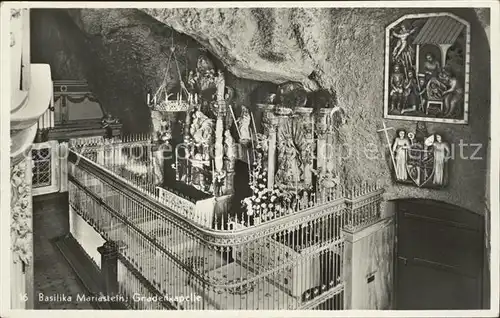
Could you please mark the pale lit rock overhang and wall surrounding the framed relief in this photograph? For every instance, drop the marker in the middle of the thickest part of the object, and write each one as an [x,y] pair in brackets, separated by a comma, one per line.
[342,50]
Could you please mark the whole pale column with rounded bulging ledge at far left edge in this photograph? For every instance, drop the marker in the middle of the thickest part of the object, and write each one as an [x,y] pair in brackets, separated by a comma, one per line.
[28,103]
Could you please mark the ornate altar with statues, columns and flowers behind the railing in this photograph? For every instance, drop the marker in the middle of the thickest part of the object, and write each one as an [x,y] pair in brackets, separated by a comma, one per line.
[290,153]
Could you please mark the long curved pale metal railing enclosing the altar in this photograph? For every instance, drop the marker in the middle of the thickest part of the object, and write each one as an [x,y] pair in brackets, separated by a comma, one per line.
[290,262]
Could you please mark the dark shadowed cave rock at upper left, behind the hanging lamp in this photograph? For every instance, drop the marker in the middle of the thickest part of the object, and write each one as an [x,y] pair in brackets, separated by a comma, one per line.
[123,55]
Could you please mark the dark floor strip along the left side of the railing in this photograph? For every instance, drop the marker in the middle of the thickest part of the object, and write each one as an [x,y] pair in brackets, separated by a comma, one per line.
[53,276]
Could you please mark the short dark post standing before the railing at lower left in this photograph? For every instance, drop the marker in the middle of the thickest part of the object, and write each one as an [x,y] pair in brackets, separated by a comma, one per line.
[109,267]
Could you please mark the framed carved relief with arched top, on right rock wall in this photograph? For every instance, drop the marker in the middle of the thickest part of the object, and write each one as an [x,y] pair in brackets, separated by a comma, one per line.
[427,64]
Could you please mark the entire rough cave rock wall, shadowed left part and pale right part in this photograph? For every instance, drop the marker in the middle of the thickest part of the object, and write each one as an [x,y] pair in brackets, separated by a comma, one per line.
[122,53]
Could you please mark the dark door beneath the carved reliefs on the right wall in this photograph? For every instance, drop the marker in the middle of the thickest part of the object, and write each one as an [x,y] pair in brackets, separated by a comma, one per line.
[439,256]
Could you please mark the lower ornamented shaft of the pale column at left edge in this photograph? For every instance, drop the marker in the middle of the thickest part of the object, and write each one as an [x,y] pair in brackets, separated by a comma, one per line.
[21,232]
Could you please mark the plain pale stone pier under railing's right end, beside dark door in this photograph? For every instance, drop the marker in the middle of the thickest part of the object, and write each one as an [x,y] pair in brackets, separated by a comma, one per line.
[368,267]
